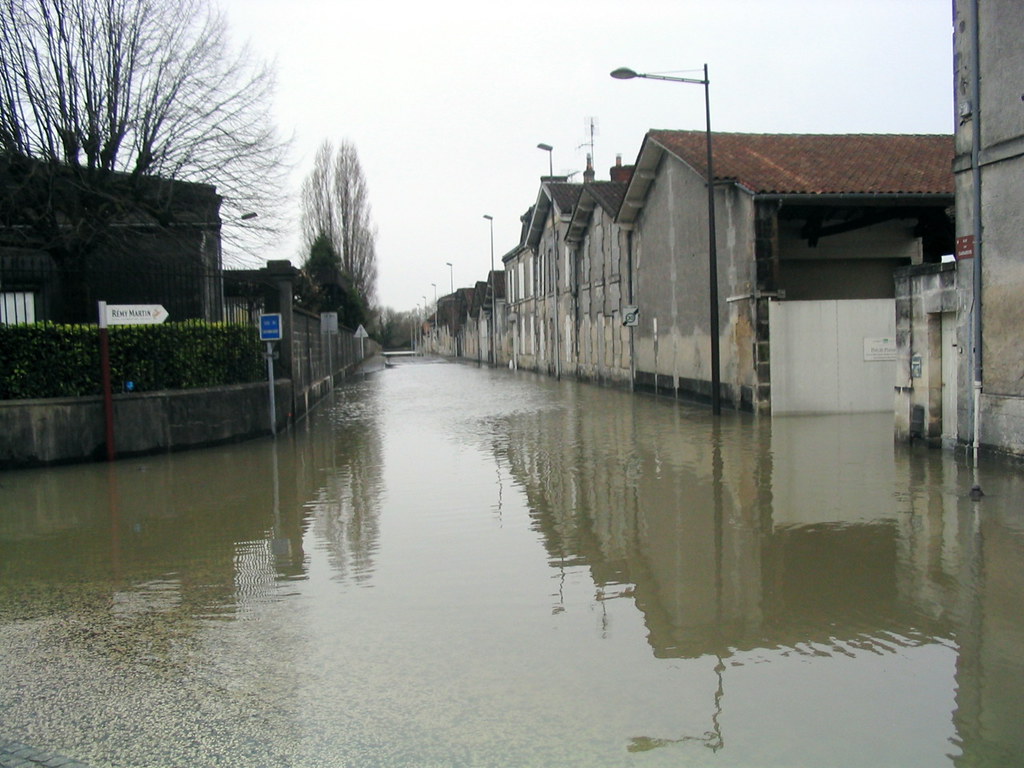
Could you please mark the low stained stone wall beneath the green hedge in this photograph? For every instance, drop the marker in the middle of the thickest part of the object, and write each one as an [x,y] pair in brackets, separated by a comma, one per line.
[72,430]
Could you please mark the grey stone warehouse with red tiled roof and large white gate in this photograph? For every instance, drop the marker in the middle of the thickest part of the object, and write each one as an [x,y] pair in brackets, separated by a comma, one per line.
[809,232]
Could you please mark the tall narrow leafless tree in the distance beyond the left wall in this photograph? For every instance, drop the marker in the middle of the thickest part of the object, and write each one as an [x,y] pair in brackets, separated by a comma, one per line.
[336,206]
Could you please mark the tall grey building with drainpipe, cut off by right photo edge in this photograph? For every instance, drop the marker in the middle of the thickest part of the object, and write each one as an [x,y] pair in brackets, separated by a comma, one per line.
[990,181]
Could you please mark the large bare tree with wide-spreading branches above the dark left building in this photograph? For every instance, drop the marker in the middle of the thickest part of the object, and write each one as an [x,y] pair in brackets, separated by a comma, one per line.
[99,98]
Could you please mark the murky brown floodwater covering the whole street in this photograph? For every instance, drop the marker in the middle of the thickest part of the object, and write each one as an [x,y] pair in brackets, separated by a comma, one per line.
[449,566]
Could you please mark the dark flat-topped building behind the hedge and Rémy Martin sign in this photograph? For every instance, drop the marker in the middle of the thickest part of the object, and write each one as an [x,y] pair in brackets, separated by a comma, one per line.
[158,242]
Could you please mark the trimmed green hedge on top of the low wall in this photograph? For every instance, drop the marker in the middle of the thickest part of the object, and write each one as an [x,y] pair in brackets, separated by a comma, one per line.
[52,361]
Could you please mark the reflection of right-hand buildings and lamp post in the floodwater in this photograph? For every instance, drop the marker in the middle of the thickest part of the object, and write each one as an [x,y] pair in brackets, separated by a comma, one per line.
[814,537]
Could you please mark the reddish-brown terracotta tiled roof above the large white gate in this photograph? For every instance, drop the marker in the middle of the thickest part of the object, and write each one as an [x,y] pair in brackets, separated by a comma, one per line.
[822,164]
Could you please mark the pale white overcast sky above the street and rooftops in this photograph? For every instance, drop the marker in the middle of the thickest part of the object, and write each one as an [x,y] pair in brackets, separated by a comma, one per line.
[446,102]
